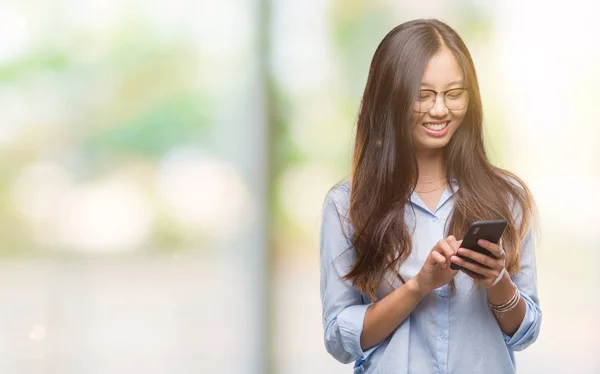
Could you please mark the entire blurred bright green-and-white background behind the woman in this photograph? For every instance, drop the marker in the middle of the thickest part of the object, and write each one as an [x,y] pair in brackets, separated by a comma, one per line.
[163,166]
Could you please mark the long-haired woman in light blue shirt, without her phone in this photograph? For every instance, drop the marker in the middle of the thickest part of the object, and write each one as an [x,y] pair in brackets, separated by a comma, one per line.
[420,176]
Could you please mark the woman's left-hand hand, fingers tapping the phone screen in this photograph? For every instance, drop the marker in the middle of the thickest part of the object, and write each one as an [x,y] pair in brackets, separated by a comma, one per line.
[436,271]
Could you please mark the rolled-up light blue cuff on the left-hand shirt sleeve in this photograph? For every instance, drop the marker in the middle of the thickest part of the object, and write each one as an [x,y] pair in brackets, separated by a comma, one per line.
[350,322]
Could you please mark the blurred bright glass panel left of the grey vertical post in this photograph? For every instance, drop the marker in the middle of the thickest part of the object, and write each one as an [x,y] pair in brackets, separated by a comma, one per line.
[132,187]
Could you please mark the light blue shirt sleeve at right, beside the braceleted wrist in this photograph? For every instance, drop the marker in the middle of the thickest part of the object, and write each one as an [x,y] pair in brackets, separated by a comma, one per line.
[526,281]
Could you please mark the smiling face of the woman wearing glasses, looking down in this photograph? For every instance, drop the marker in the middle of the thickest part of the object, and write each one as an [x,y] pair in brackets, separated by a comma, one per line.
[434,129]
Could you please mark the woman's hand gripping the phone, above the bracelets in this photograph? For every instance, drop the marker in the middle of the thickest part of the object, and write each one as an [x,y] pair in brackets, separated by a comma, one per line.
[487,268]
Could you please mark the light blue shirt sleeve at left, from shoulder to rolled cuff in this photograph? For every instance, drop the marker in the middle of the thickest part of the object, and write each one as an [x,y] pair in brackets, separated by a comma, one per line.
[343,306]
